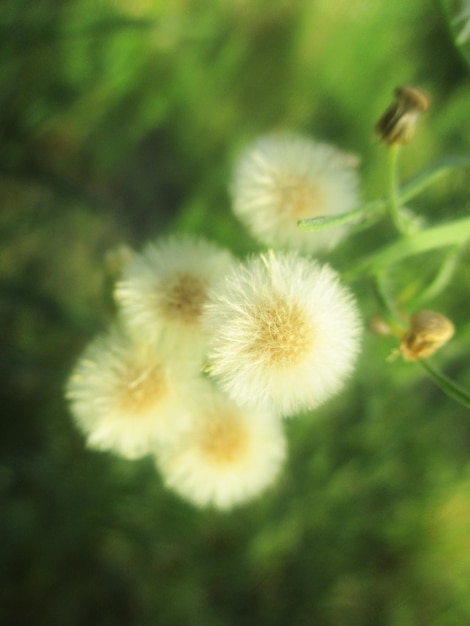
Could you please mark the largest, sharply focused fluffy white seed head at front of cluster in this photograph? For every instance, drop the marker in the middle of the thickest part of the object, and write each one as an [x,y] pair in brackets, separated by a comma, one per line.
[284,333]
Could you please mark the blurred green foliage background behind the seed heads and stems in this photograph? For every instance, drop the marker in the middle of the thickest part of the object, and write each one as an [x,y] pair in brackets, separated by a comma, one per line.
[119,121]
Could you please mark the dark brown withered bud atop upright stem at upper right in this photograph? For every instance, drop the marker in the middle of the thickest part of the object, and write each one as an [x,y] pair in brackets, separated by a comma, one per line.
[397,124]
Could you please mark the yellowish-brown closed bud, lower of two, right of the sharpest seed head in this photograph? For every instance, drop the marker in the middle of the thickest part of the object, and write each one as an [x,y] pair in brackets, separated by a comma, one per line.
[427,333]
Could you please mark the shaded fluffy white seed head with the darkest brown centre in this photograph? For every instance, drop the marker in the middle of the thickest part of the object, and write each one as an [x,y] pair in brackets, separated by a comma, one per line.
[163,289]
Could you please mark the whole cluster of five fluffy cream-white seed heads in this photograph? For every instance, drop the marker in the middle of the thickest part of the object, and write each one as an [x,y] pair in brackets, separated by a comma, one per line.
[209,353]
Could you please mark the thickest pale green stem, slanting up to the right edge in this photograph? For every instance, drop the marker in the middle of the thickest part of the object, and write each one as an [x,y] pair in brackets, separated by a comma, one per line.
[451,234]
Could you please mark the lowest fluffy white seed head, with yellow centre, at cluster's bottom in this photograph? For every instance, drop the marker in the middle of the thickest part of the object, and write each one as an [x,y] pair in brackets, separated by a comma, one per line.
[227,457]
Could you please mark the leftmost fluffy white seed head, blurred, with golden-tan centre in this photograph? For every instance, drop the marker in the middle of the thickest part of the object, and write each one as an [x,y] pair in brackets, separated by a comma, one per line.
[124,397]
